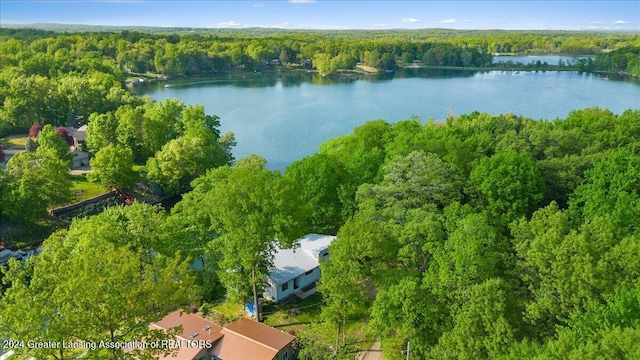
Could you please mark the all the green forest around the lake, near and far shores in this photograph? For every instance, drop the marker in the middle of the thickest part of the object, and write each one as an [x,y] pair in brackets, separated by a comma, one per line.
[483,236]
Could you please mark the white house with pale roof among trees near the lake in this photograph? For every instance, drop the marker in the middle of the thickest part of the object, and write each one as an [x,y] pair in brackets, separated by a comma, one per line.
[295,270]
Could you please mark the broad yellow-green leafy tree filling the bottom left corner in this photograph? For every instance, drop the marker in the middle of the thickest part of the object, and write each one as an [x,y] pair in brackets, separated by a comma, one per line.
[85,287]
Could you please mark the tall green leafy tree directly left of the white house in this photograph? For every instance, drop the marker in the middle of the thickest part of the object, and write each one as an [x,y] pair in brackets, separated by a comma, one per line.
[251,213]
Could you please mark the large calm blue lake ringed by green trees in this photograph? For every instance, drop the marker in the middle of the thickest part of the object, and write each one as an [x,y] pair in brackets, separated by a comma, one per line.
[284,117]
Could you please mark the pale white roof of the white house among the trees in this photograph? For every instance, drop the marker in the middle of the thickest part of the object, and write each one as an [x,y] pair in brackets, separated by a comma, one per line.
[291,263]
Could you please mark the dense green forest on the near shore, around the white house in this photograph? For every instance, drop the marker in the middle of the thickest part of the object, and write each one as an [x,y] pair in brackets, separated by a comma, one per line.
[481,237]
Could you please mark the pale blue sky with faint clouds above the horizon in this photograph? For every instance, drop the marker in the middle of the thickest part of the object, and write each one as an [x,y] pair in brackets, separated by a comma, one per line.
[332,14]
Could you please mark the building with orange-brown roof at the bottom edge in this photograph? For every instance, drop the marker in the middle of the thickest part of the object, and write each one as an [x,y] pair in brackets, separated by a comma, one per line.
[243,339]
